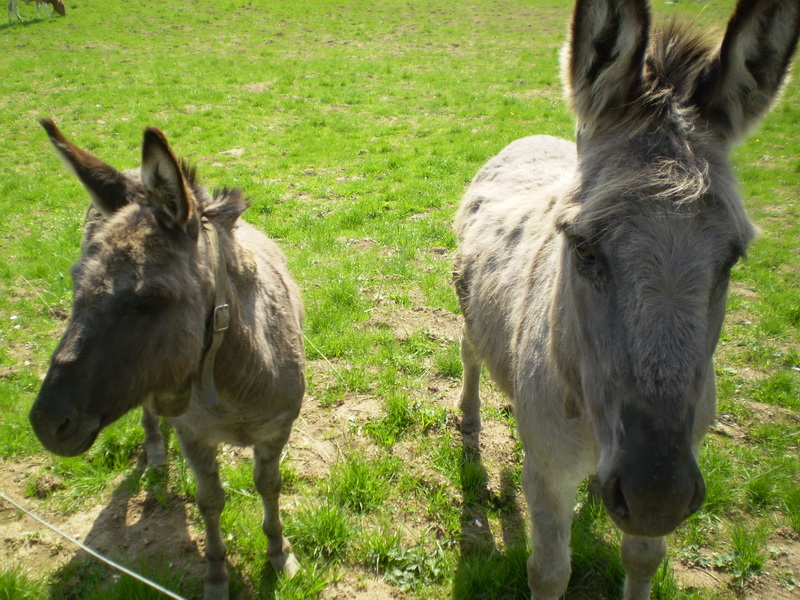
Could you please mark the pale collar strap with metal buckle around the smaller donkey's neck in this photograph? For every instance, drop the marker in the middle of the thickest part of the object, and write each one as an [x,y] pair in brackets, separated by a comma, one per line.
[219,320]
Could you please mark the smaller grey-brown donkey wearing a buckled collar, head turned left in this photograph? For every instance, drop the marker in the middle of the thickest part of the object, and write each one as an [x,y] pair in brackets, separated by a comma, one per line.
[184,309]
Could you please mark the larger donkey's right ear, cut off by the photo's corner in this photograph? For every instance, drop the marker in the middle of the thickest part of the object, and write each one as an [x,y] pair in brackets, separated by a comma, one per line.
[740,84]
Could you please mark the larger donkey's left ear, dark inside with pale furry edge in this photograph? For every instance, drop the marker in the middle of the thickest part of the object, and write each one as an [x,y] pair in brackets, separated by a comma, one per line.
[604,57]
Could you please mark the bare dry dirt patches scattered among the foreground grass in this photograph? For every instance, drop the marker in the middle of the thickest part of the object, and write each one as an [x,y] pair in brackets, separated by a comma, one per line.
[127,527]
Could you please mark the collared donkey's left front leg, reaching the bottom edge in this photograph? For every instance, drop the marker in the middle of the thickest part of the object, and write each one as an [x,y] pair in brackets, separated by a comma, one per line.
[202,459]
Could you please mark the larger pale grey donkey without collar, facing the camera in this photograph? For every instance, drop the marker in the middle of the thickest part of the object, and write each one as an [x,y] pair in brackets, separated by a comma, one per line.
[593,276]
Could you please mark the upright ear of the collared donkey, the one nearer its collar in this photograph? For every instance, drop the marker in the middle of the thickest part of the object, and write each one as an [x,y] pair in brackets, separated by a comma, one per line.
[162,176]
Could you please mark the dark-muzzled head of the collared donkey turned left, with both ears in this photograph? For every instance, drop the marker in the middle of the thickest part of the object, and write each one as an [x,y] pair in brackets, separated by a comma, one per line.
[141,298]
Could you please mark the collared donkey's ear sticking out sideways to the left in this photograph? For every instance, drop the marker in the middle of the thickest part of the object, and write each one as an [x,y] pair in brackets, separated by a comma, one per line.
[107,186]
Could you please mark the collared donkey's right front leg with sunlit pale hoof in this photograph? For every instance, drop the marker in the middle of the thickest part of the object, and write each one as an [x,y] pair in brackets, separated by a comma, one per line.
[267,476]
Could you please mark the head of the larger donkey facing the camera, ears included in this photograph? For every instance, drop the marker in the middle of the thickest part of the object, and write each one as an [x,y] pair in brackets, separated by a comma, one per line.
[652,228]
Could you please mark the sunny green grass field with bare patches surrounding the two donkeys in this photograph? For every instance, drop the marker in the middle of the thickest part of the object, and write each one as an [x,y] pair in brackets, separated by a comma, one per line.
[354,126]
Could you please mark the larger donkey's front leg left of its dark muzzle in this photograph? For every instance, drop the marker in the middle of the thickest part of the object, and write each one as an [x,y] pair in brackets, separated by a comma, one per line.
[550,502]
